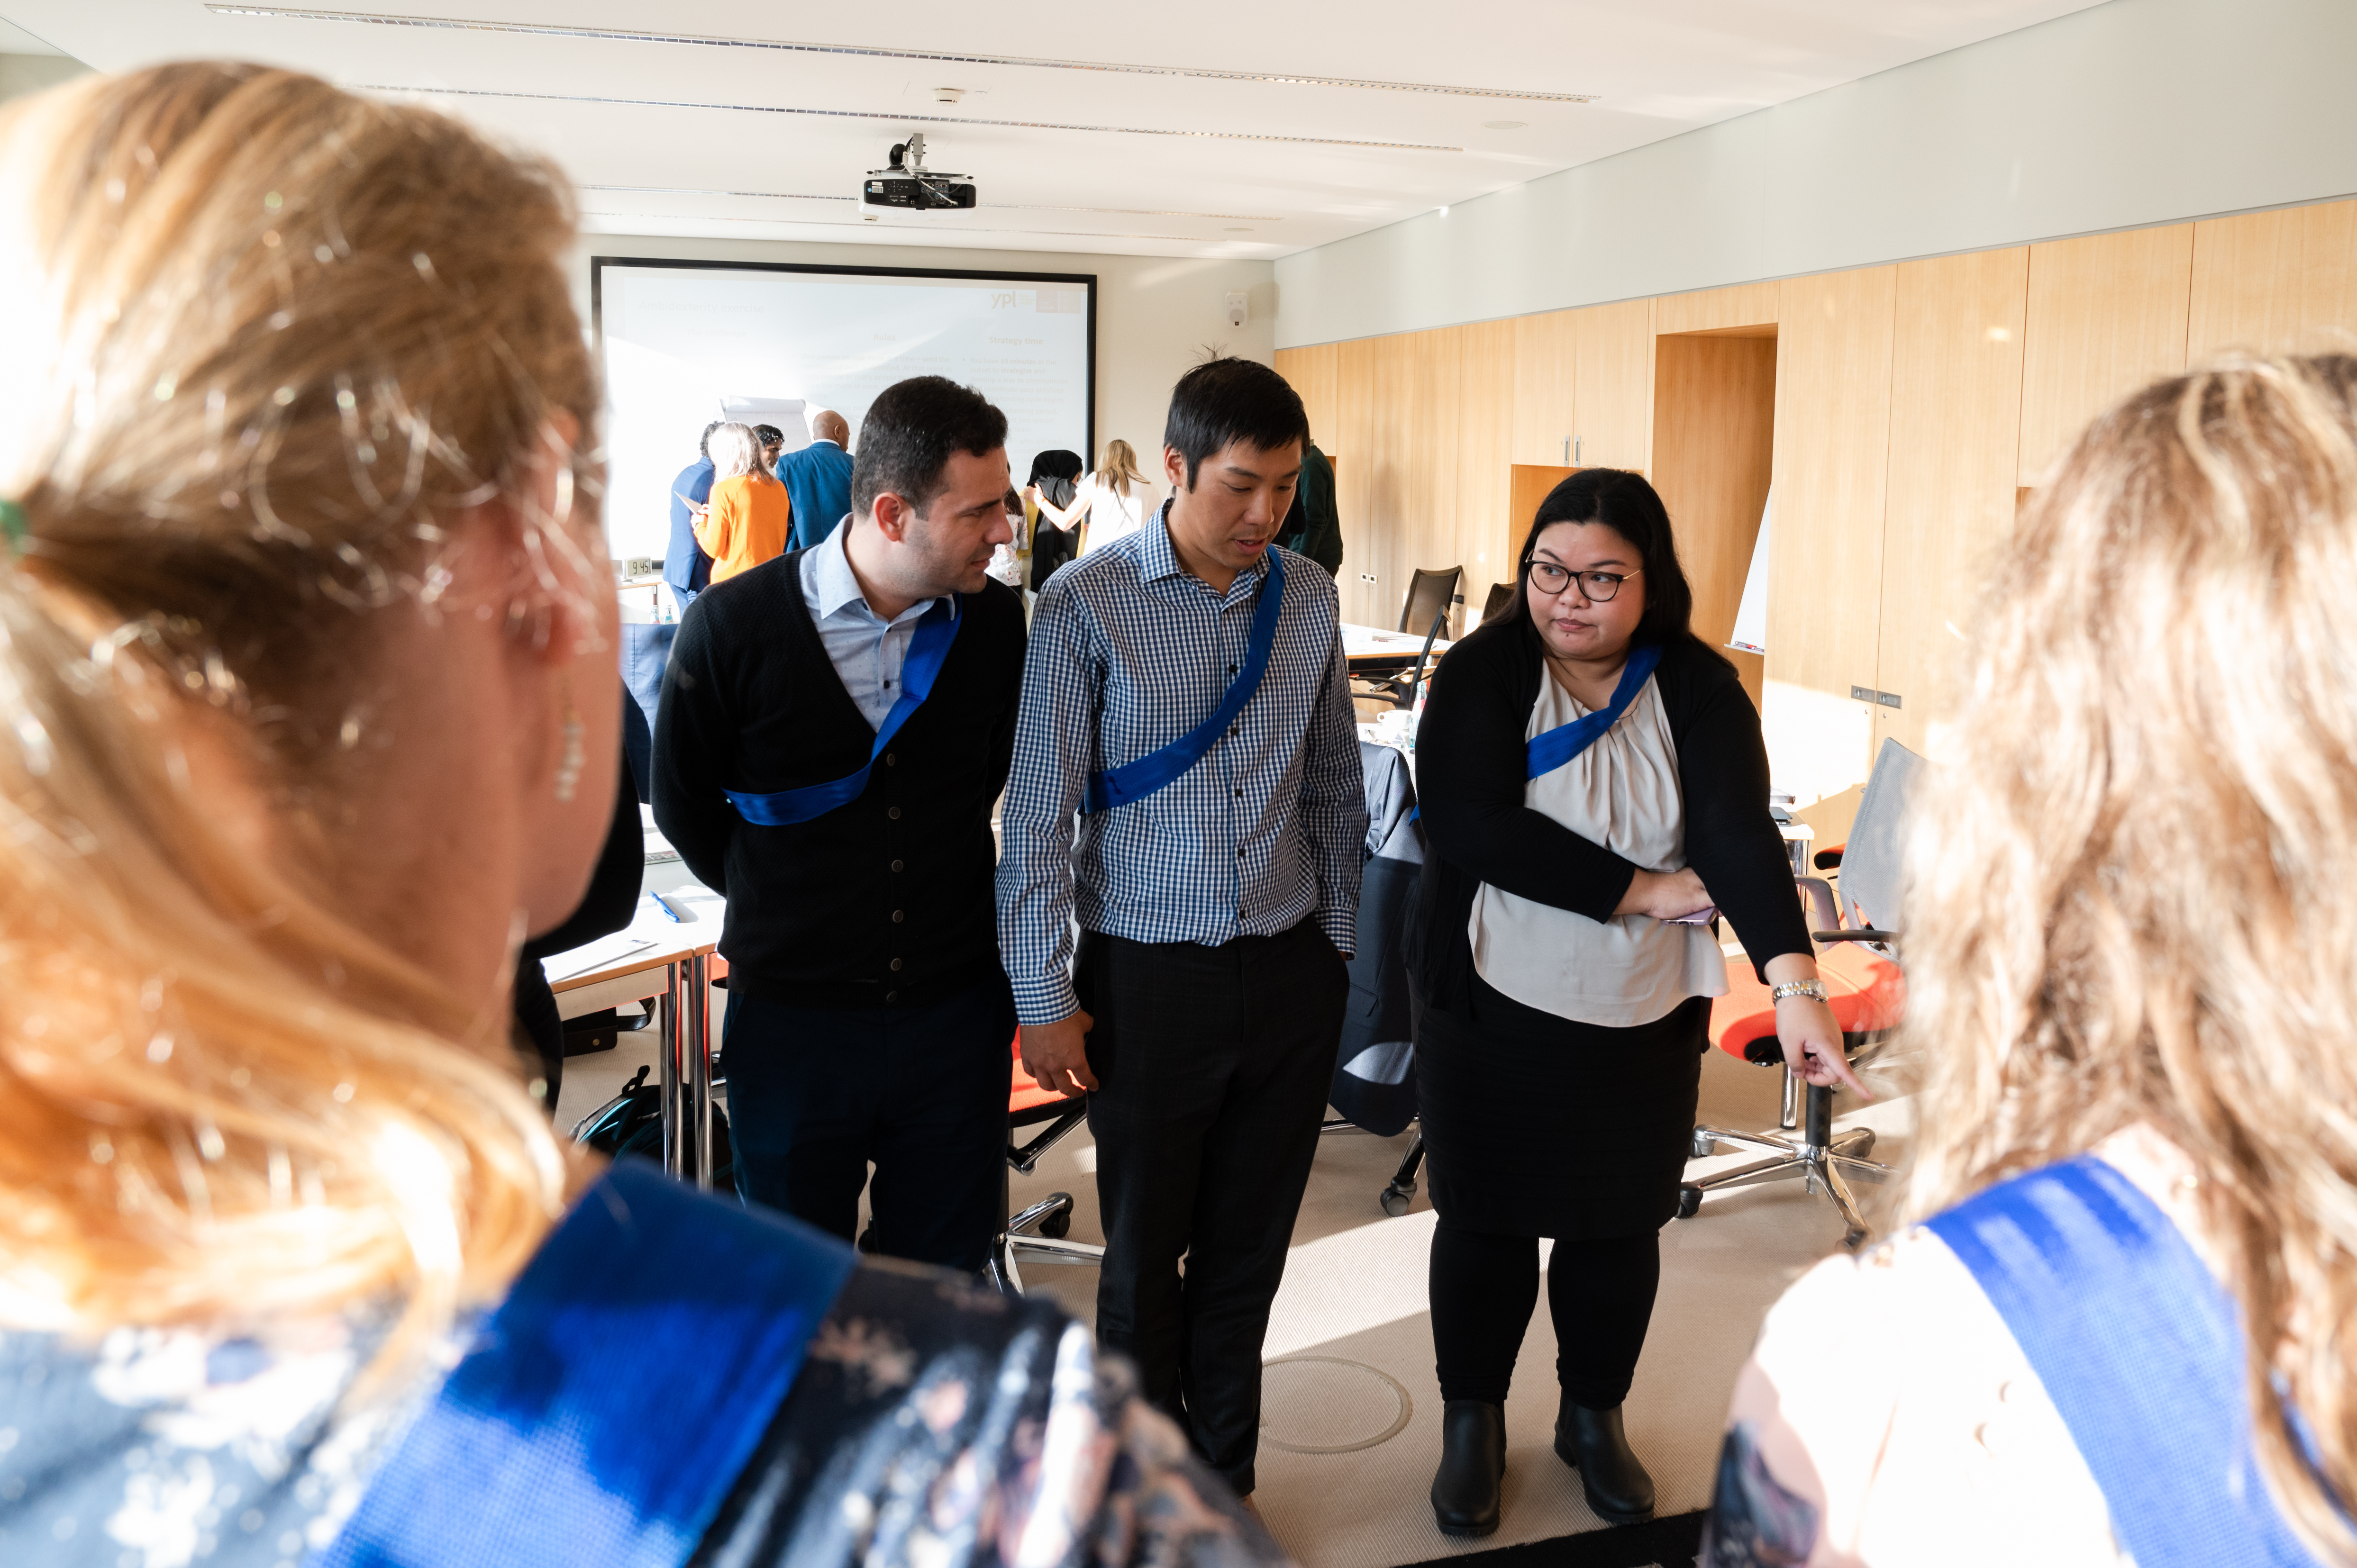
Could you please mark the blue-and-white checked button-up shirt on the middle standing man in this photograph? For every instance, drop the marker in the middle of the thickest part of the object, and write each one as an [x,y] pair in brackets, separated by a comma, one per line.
[1128,654]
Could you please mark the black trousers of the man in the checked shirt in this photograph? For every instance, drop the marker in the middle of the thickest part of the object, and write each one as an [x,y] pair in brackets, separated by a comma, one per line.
[1213,1074]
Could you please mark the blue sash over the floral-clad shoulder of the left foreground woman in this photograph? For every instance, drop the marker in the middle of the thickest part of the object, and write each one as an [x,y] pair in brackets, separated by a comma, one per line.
[612,1402]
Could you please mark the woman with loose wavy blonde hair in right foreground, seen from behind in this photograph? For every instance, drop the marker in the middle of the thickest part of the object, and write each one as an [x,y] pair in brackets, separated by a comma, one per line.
[2132,956]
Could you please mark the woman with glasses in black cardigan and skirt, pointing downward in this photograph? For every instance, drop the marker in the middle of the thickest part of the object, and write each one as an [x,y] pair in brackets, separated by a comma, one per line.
[1592,782]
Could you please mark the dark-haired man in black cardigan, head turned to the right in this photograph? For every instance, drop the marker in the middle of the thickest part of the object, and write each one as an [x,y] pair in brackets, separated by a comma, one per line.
[836,727]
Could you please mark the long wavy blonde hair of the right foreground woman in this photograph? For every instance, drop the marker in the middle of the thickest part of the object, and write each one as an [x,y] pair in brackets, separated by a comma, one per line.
[2134,897]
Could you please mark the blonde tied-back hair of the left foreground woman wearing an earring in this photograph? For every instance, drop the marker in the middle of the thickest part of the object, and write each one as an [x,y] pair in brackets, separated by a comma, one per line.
[268,343]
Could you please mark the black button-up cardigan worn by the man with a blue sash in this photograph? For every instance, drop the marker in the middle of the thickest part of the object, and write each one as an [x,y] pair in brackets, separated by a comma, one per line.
[887,900]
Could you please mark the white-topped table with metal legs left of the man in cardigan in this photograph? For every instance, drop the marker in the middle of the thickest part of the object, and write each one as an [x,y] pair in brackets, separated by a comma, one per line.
[675,963]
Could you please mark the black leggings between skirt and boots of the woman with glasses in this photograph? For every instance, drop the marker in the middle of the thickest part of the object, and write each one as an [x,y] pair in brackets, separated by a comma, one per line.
[1599,1293]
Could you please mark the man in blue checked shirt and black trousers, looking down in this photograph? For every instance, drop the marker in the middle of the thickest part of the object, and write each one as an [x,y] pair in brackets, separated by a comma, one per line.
[1215,881]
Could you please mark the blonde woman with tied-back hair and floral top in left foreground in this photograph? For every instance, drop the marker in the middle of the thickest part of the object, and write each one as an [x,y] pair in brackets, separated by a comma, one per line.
[308,718]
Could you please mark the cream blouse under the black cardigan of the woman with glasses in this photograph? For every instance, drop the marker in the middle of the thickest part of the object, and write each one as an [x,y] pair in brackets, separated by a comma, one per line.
[1620,793]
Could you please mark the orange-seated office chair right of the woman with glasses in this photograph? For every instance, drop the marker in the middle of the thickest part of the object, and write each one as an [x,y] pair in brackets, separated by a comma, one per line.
[1866,991]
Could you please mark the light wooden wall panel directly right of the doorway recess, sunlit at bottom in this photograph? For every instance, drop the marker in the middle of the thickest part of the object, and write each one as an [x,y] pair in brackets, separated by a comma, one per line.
[1833,444]
